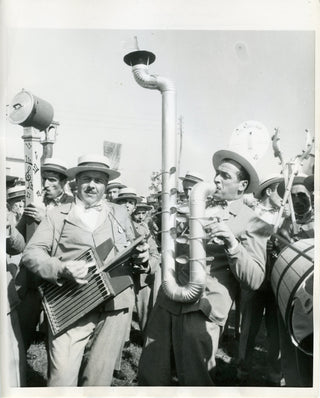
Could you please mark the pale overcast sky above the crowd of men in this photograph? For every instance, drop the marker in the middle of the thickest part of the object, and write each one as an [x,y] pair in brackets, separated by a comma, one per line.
[223,78]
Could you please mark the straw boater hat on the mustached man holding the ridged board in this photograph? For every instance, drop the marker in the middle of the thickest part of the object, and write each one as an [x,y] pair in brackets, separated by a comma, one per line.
[93,163]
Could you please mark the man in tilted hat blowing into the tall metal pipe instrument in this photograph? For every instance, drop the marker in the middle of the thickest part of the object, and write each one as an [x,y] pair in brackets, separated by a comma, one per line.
[187,334]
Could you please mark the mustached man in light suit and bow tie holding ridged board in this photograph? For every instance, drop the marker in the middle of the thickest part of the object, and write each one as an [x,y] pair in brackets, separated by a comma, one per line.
[62,236]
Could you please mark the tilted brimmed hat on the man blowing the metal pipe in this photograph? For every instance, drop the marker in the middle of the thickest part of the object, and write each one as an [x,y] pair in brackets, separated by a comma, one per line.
[243,161]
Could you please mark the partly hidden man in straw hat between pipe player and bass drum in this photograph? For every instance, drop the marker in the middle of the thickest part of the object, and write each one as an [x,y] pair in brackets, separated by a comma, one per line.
[261,302]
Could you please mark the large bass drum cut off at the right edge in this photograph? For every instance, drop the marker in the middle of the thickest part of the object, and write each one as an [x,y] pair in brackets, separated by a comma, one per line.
[292,284]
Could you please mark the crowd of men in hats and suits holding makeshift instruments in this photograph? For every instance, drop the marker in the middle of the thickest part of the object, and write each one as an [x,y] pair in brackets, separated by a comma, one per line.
[88,207]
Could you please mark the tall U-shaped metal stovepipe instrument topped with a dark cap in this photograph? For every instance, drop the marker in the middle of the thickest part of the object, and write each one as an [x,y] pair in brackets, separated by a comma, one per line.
[195,287]
